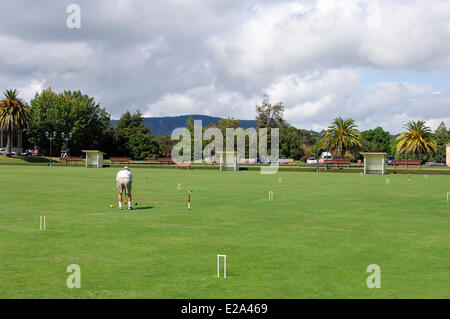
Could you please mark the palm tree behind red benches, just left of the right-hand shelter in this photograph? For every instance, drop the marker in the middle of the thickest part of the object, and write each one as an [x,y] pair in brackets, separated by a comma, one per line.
[342,135]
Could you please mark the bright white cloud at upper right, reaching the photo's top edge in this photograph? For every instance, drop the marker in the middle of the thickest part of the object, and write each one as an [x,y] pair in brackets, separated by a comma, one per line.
[297,36]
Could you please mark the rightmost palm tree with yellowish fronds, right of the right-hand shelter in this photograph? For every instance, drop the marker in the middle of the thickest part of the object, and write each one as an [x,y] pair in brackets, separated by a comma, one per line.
[417,140]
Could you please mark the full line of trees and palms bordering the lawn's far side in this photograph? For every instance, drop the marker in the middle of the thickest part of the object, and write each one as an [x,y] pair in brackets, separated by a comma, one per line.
[90,124]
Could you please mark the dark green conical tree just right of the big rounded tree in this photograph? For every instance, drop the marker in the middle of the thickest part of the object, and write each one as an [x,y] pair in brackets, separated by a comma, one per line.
[133,138]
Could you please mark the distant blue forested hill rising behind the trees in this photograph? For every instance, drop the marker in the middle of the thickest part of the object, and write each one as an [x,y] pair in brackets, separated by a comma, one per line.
[163,126]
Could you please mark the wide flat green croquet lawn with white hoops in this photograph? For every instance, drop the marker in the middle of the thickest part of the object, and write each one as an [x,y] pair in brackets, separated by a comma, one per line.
[314,240]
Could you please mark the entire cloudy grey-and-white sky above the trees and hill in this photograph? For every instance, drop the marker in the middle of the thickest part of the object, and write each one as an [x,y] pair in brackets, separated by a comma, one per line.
[380,62]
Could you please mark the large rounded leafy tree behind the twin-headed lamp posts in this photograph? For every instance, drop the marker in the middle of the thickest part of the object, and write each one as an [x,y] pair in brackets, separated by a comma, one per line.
[69,111]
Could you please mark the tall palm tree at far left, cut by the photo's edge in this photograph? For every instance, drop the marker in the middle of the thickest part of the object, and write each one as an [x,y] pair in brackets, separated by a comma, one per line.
[13,114]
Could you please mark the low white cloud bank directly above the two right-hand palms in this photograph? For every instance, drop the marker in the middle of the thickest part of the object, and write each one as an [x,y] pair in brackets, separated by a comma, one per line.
[314,100]
